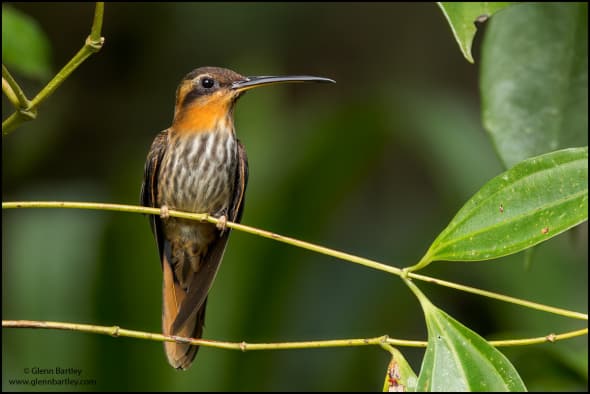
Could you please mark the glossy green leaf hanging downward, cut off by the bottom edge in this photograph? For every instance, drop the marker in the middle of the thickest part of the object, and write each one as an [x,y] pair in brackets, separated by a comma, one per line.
[457,359]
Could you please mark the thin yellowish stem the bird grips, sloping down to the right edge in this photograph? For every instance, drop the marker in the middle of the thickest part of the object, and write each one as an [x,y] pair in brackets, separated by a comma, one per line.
[292,241]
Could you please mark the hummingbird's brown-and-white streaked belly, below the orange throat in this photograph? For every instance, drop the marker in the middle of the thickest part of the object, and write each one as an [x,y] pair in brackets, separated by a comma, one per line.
[198,173]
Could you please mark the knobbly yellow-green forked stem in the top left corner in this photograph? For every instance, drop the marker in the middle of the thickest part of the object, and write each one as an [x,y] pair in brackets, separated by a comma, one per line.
[92,44]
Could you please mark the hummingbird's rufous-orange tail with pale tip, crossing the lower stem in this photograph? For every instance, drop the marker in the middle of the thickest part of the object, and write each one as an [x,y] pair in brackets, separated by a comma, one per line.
[179,355]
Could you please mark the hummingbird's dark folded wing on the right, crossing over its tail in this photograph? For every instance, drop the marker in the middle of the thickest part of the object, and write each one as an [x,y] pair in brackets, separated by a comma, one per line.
[203,279]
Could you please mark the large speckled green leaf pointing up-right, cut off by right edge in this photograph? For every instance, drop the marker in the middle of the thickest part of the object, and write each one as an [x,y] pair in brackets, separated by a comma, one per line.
[528,204]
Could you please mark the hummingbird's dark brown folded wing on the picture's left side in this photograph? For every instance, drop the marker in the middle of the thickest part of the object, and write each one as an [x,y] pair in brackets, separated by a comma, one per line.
[149,187]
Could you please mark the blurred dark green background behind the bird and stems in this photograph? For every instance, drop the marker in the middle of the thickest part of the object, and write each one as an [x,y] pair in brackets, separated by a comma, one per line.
[375,165]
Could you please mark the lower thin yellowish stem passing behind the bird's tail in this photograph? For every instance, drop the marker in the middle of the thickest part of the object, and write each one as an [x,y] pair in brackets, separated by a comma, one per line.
[384,341]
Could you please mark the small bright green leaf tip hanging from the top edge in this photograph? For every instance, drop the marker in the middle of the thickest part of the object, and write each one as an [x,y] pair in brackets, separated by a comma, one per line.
[462,18]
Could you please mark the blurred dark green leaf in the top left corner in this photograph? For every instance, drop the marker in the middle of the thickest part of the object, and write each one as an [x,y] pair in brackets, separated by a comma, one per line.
[24,44]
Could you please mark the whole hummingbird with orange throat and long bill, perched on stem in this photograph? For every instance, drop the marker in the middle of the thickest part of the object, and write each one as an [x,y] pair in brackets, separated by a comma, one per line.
[198,165]
